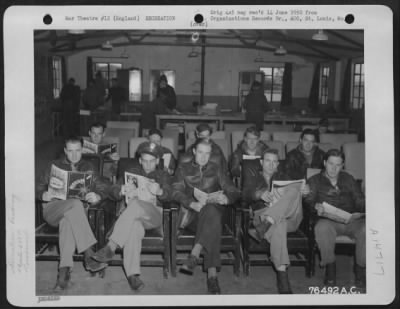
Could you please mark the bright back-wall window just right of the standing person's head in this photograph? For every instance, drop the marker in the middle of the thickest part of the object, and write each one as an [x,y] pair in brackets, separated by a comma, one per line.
[273,81]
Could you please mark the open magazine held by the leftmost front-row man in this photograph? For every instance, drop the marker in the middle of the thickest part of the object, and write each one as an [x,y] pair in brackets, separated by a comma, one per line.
[69,184]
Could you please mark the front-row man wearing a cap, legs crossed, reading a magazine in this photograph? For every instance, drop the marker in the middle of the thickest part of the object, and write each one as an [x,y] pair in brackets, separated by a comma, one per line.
[139,215]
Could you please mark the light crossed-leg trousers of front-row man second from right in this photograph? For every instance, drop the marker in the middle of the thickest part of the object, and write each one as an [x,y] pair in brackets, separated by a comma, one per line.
[287,214]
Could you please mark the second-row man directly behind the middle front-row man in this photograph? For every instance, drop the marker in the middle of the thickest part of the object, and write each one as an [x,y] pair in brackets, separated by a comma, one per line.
[204,131]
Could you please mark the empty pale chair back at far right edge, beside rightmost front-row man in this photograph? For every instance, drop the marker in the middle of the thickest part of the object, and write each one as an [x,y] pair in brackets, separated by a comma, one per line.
[355,159]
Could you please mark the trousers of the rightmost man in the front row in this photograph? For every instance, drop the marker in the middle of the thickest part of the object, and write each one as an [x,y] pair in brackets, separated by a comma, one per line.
[325,235]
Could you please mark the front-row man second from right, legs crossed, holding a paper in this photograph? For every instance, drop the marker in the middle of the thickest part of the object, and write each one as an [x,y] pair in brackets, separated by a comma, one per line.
[273,222]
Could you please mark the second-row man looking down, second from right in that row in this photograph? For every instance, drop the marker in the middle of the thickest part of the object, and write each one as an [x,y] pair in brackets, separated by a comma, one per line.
[251,146]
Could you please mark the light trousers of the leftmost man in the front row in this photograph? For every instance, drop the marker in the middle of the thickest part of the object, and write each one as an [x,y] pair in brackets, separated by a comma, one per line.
[74,228]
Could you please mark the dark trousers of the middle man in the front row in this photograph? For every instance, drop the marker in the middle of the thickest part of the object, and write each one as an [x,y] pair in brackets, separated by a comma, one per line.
[207,224]
